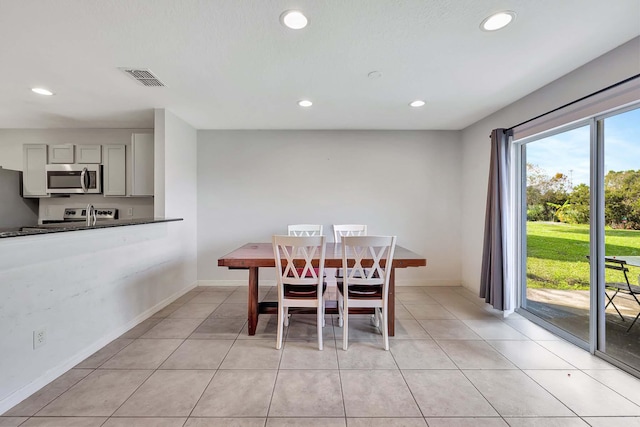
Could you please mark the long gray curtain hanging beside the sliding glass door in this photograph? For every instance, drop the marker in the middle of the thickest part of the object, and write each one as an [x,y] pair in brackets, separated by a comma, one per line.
[493,279]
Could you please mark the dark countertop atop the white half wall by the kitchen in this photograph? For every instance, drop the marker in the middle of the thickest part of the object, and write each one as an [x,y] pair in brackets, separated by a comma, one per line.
[62,227]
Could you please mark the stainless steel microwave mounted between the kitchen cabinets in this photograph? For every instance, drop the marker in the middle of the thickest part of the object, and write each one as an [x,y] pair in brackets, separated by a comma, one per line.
[74,179]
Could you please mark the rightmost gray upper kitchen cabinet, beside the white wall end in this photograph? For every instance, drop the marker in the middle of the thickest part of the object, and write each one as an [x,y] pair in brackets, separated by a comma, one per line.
[142,164]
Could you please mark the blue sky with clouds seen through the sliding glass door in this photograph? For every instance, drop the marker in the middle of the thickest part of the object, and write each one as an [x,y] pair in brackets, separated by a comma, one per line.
[568,152]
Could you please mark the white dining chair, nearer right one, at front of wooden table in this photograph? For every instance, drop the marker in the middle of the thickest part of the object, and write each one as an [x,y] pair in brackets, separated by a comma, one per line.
[366,287]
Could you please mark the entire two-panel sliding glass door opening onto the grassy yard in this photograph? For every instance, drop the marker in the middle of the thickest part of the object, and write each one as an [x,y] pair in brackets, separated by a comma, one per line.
[569,175]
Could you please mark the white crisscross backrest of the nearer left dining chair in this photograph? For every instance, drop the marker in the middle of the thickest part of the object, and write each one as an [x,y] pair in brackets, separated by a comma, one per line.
[294,257]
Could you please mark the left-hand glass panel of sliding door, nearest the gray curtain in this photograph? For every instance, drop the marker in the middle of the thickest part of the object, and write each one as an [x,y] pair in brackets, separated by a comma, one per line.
[557,230]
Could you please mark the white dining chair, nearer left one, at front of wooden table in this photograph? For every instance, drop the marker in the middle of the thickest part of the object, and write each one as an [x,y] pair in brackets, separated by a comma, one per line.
[299,283]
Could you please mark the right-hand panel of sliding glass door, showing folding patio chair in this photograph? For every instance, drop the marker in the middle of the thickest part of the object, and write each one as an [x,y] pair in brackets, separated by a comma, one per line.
[621,137]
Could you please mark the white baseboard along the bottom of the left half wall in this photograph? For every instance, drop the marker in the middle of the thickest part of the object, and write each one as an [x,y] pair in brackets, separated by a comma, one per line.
[53,373]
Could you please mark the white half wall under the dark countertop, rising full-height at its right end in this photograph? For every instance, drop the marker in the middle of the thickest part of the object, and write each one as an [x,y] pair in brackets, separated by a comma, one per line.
[67,284]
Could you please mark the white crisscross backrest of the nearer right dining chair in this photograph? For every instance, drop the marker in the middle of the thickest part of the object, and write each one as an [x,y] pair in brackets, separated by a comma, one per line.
[373,257]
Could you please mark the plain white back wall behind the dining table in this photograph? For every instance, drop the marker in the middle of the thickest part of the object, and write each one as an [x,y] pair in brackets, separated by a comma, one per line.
[251,184]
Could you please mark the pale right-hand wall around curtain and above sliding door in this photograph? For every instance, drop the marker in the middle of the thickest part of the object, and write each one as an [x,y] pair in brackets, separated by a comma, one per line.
[615,66]
